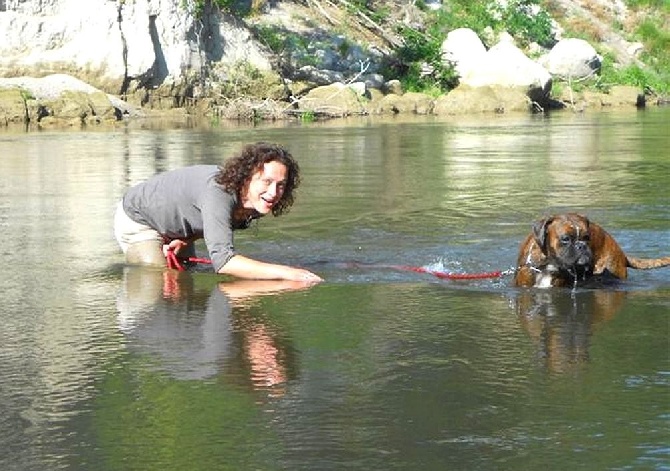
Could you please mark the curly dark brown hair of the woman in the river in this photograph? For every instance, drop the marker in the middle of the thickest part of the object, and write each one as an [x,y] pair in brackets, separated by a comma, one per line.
[235,174]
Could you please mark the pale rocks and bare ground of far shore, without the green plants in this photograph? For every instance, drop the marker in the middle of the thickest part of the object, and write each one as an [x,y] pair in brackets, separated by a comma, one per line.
[141,73]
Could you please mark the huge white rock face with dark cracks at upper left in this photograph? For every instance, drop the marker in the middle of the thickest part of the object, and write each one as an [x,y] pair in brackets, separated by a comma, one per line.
[118,46]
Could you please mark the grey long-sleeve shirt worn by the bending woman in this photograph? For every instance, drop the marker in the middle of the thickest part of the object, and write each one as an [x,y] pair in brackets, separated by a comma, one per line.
[187,204]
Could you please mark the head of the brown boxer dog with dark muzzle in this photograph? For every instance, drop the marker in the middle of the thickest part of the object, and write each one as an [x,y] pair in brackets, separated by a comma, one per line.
[564,239]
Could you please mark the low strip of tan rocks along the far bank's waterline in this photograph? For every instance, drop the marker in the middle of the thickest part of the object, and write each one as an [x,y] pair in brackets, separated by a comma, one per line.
[64,101]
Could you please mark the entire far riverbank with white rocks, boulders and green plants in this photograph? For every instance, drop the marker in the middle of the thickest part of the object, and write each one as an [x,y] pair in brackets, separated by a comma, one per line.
[291,61]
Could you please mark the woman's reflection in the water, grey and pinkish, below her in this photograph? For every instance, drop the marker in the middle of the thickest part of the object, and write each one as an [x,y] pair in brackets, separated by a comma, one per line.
[194,334]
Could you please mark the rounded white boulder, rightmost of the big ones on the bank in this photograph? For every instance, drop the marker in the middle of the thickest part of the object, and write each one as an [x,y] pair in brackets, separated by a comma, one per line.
[572,59]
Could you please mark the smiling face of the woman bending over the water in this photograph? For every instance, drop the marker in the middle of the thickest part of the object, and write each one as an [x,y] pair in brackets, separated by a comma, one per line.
[266,187]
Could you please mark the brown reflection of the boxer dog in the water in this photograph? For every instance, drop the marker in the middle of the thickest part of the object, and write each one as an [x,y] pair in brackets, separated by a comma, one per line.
[561,322]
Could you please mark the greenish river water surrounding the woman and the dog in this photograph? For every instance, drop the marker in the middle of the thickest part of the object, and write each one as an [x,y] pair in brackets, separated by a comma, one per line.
[104,366]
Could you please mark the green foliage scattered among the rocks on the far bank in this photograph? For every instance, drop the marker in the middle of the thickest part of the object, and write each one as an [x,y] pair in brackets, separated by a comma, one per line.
[419,65]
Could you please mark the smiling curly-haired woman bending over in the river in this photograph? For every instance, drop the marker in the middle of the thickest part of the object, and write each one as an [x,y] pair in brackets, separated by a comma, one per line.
[173,209]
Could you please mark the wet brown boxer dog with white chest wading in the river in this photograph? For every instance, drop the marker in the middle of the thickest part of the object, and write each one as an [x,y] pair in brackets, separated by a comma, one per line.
[567,249]
